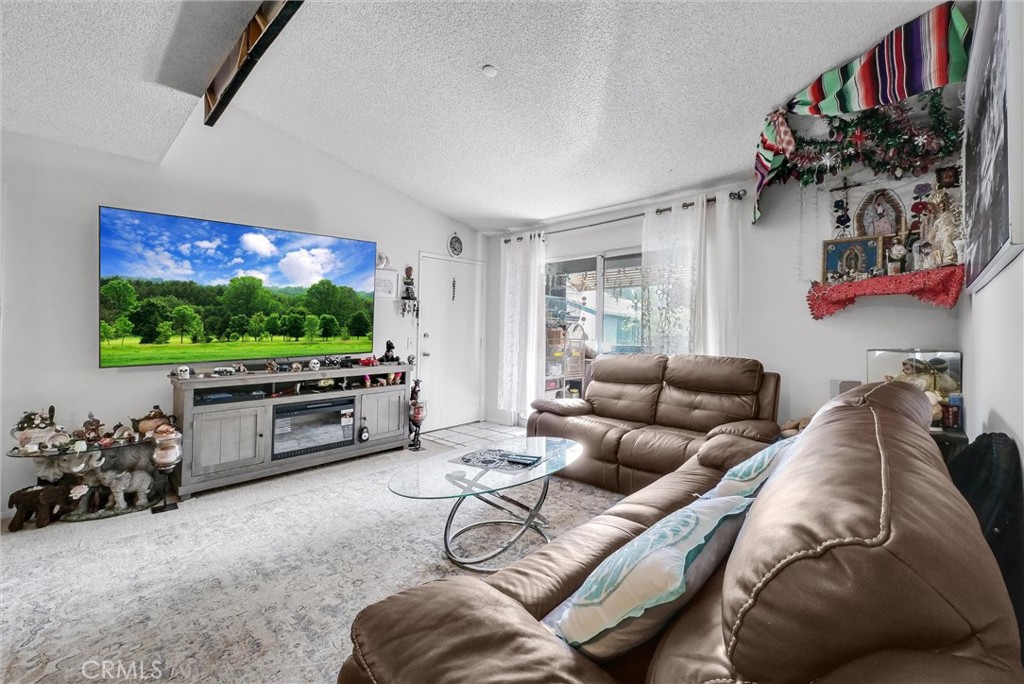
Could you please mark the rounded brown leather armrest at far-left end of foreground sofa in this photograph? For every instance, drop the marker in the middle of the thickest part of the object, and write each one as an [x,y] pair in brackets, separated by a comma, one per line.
[459,630]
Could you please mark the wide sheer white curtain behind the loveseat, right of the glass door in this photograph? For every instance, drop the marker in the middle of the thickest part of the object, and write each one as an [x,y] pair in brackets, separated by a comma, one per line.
[691,260]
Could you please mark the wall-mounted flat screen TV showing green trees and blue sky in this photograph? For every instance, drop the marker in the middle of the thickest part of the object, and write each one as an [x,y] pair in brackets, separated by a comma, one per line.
[182,291]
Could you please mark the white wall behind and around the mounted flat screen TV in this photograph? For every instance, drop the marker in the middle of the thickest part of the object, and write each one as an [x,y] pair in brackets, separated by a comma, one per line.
[240,172]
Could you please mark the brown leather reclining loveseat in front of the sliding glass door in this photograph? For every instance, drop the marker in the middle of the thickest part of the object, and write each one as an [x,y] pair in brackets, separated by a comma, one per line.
[646,415]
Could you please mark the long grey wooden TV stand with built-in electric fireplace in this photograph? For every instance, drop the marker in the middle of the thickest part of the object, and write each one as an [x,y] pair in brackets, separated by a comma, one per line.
[228,422]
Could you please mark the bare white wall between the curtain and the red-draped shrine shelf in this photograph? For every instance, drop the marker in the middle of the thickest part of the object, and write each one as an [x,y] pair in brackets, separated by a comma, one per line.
[778,329]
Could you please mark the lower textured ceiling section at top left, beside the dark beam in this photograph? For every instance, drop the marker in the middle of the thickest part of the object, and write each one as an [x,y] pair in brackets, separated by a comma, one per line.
[119,77]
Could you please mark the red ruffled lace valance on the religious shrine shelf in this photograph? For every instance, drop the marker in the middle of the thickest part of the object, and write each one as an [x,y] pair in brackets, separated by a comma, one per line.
[936,286]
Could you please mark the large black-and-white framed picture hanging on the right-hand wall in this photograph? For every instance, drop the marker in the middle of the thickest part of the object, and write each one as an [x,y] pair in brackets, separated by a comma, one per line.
[992,123]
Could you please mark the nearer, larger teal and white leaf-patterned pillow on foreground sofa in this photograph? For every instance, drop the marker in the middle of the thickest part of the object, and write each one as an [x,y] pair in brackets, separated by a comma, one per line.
[635,591]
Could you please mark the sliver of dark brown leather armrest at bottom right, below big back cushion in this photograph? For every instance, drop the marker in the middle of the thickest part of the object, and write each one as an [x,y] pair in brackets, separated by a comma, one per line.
[909,667]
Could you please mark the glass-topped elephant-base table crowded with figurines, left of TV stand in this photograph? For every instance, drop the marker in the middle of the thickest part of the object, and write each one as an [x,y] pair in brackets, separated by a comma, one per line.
[94,473]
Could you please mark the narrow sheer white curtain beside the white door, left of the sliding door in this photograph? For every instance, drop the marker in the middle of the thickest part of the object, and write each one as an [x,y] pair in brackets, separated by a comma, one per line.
[522,336]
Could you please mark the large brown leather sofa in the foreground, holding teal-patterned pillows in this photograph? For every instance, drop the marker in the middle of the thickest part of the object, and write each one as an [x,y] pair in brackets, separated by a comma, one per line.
[859,562]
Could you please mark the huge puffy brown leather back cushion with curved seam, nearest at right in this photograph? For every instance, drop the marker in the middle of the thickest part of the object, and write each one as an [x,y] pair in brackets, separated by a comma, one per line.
[861,521]
